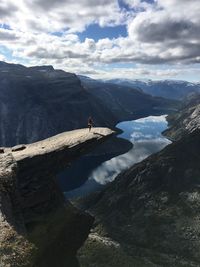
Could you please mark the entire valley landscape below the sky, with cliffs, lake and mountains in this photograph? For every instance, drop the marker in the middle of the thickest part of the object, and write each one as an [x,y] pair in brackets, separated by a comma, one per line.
[134,198]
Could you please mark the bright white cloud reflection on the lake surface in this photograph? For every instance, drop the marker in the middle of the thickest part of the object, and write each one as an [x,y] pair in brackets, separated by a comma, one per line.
[146,141]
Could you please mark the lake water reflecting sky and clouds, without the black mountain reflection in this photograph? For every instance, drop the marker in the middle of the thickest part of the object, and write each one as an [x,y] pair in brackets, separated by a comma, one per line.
[145,134]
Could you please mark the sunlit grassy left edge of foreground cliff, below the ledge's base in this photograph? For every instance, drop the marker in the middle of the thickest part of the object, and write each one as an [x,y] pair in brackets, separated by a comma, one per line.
[15,249]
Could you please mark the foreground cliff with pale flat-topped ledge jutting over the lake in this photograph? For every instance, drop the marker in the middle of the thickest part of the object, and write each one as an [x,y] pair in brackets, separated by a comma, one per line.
[37,226]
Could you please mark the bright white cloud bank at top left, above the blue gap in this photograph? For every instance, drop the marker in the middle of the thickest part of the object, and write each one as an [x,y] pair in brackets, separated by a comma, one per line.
[54,15]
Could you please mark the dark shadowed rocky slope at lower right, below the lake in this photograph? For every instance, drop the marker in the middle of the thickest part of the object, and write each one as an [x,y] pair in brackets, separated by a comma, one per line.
[151,211]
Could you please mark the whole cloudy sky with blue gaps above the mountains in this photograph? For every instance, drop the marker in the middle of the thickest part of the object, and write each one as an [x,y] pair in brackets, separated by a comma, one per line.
[129,39]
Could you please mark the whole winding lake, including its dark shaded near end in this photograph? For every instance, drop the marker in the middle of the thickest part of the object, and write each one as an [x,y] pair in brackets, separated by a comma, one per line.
[146,136]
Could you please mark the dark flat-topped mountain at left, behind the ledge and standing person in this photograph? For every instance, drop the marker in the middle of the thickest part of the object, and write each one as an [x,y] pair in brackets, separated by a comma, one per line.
[39,102]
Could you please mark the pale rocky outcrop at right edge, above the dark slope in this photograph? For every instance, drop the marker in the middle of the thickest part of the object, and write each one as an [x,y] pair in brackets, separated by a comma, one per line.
[186,120]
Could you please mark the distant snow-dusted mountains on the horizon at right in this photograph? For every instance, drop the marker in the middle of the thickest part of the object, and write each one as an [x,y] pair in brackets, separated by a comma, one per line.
[173,89]
